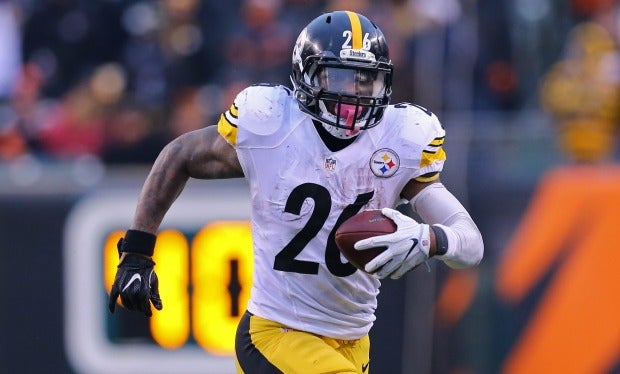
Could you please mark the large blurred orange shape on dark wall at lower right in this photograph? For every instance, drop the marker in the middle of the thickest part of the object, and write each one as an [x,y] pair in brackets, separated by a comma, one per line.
[570,235]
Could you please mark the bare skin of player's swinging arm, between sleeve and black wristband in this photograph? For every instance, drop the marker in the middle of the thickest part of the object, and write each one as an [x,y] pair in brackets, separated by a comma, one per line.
[201,154]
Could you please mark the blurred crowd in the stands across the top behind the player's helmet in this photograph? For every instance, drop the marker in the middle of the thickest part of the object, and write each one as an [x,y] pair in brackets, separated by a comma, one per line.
[117,80]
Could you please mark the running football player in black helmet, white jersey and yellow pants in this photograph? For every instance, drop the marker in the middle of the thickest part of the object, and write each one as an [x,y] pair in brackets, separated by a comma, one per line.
[313,156]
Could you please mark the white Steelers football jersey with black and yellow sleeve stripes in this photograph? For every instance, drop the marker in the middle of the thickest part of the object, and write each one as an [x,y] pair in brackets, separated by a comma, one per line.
[301,191]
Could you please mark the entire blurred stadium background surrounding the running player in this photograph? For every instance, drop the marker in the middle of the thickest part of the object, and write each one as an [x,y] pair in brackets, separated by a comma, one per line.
[528,91]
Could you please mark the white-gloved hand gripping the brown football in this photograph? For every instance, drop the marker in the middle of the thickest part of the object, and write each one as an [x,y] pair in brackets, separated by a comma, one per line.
[407,247]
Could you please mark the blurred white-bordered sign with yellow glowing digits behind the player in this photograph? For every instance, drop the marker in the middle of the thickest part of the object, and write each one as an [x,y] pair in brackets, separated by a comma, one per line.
[204,264]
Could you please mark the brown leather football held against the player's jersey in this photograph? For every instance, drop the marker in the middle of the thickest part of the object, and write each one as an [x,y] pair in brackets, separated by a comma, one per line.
[366,224]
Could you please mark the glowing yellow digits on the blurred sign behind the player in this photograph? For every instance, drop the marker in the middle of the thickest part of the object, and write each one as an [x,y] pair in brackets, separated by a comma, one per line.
[216,266]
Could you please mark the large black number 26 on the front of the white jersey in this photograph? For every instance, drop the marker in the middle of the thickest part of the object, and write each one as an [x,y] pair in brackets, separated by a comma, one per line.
[286,259]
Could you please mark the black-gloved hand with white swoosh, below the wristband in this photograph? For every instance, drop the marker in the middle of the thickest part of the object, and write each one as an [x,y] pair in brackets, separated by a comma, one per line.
[136,283]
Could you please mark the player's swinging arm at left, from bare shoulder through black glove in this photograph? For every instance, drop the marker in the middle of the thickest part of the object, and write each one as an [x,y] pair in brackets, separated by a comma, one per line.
[202,154]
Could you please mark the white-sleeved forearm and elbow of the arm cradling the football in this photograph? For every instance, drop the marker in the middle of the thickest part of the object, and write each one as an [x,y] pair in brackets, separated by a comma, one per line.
[438,207]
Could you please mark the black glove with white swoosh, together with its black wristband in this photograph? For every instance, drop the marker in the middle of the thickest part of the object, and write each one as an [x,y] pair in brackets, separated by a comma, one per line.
[136,282]
